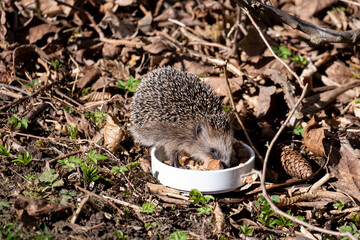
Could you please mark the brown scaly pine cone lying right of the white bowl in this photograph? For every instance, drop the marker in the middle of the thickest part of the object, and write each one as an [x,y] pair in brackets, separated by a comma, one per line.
[294,163]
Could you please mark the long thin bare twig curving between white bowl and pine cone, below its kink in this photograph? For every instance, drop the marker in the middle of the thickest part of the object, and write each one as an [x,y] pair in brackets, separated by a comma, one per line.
[264,191]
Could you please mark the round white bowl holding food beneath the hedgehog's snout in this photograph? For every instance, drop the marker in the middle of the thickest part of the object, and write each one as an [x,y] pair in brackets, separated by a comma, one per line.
[208,182]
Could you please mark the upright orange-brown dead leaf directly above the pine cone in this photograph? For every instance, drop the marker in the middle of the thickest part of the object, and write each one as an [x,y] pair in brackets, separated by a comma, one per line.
[313,137]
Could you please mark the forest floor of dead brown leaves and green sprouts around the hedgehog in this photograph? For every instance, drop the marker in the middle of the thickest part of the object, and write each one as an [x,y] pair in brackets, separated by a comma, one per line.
[69,168]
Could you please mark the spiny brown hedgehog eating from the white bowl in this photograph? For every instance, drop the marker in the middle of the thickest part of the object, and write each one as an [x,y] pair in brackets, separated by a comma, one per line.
[176,111]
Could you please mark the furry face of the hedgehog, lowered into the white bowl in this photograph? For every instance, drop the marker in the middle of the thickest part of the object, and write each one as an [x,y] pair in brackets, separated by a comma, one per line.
[213,143]
